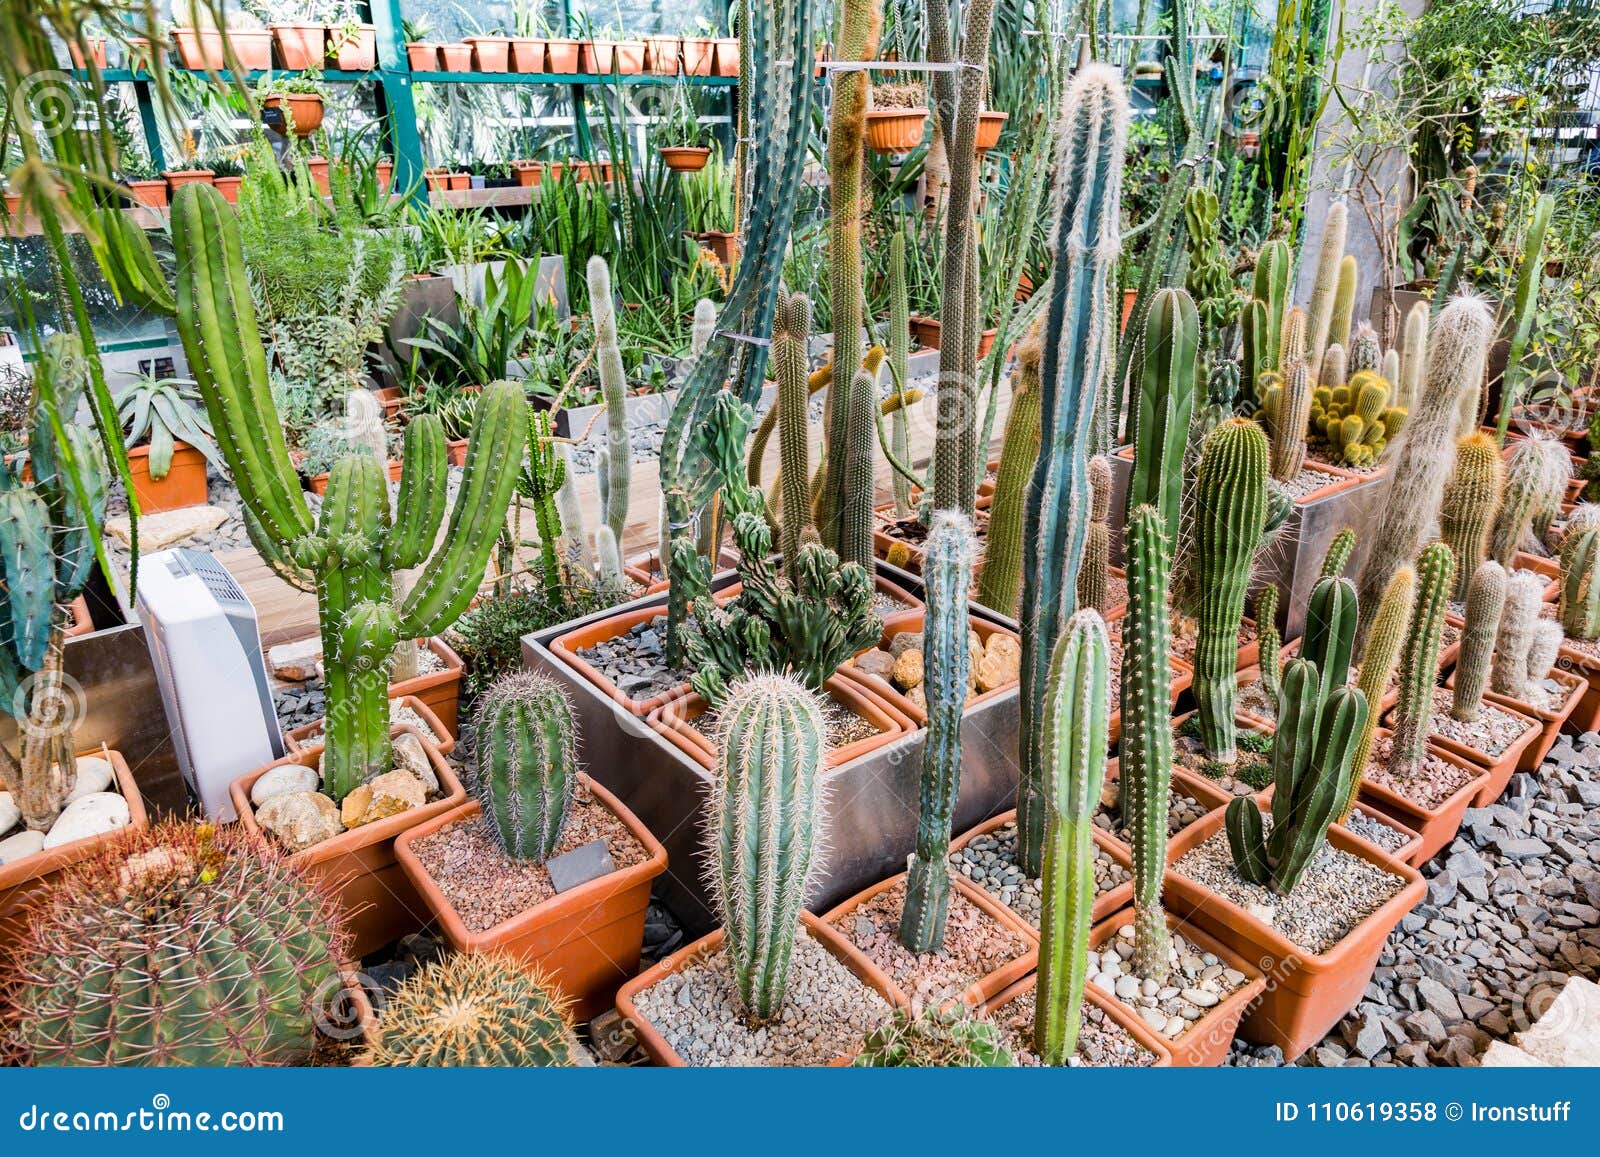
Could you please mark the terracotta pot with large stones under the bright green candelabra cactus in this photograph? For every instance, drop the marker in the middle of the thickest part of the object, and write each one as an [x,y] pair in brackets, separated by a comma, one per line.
[361,871]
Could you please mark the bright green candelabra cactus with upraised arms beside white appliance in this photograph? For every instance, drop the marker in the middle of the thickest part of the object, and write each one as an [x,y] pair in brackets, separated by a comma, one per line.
[350,556]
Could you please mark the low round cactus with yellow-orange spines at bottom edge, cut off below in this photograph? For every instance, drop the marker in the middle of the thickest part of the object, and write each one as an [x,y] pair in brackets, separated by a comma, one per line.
[474,1009]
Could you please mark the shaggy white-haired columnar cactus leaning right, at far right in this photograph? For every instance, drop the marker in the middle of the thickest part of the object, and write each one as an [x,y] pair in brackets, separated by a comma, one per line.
[1423,462]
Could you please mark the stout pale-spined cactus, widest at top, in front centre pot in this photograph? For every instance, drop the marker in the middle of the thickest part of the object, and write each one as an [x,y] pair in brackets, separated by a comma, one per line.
[767,811]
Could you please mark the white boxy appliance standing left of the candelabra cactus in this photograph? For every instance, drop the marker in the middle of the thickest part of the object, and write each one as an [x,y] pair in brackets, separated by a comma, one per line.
[207,652]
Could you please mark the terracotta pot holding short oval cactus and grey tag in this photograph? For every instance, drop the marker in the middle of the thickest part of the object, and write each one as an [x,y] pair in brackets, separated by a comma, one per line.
[586,940]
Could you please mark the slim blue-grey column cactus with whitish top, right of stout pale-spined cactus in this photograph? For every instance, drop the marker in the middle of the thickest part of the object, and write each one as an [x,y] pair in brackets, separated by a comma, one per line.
[946,662]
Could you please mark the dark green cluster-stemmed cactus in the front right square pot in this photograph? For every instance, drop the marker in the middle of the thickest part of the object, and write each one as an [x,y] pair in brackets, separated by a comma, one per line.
[1313,759]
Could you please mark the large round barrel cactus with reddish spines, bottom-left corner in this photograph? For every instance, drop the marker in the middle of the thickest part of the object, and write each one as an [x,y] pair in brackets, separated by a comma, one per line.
[191,947]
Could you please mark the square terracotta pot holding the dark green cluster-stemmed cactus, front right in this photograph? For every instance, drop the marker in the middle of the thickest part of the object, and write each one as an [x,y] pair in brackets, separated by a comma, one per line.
[1306,995]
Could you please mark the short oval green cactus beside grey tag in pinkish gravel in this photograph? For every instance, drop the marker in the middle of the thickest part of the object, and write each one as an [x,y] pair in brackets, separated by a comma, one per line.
[527,764]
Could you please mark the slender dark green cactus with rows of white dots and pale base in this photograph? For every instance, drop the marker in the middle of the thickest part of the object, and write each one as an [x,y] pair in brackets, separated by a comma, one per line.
[1148,734]
